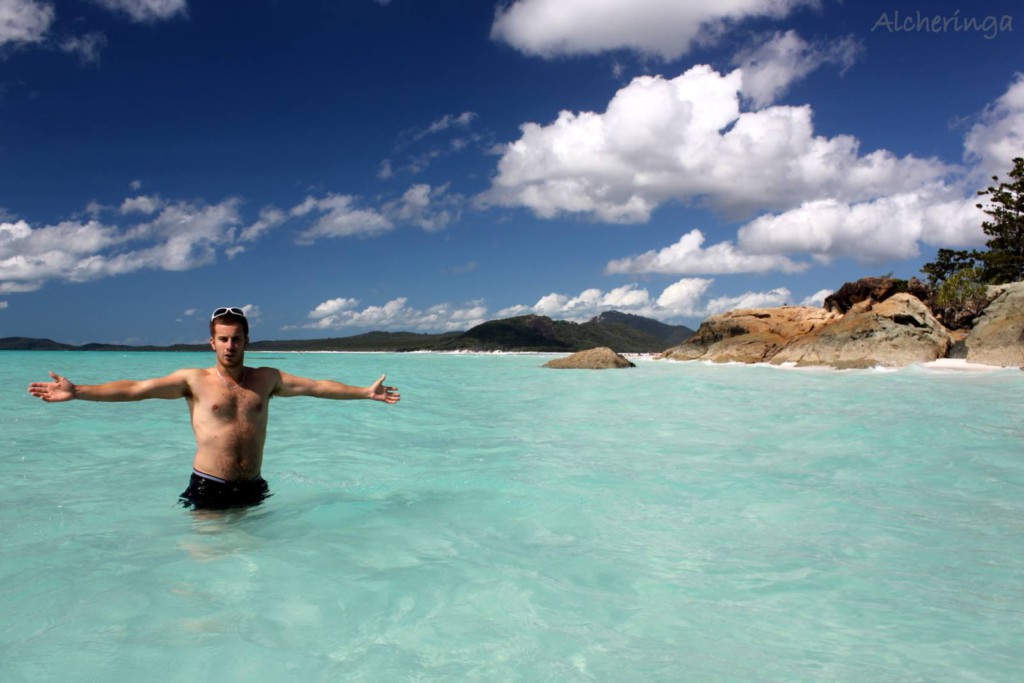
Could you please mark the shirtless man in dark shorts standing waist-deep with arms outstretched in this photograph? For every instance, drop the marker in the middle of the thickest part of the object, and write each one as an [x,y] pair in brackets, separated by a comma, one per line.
[230,407]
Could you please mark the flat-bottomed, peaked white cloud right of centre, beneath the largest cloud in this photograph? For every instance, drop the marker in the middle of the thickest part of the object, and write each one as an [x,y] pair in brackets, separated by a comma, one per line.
[689,258]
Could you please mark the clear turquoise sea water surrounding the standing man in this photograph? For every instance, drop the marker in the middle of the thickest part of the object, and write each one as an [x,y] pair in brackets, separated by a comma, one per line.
[508,523]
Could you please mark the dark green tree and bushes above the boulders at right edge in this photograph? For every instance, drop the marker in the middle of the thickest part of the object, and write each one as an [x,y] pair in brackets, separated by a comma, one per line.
[961,278]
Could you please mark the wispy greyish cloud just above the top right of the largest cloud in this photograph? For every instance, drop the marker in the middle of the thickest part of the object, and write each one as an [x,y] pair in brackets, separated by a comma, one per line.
[771,69]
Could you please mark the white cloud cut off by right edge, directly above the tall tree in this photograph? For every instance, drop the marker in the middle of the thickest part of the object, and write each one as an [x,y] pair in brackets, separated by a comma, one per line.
[998,139]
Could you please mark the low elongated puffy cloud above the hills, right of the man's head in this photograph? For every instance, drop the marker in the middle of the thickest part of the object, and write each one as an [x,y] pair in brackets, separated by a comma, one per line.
[396,315]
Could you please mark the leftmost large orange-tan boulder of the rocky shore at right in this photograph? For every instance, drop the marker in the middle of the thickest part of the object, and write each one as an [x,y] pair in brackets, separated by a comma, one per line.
[753,335]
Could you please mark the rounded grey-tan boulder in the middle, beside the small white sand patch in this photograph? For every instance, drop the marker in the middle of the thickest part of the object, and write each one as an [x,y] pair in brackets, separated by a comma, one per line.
[897,332]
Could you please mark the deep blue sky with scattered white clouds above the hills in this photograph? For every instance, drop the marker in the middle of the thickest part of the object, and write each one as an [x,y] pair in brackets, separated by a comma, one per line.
[338,166]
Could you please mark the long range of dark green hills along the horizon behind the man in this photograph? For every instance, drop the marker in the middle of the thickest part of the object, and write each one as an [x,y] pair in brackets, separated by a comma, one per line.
[622,332]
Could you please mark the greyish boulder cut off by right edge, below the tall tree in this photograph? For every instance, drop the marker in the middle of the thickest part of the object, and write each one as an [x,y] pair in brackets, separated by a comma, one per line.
[998,336]
